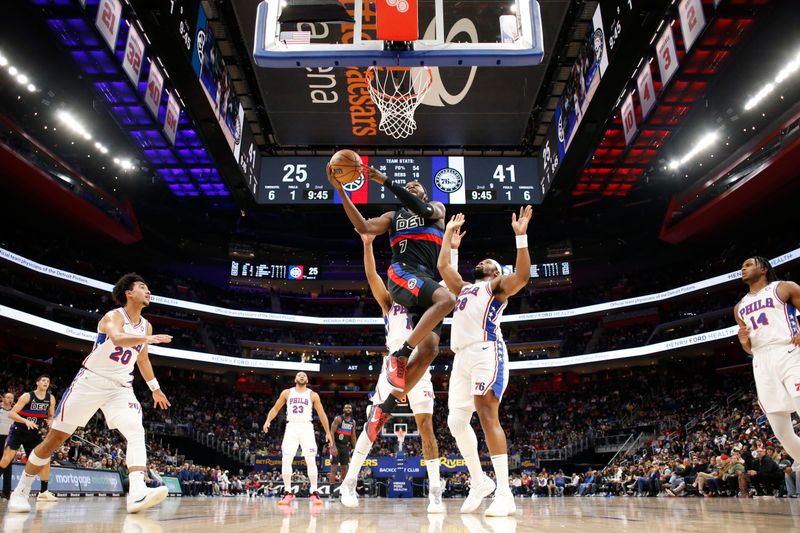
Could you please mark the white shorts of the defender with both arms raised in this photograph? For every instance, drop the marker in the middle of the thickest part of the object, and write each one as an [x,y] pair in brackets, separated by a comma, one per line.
[478,369]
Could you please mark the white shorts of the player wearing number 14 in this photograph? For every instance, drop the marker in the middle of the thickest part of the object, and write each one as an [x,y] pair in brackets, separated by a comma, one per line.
[777,374]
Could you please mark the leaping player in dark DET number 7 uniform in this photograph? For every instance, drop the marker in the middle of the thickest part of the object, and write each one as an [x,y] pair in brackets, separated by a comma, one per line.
[415,233]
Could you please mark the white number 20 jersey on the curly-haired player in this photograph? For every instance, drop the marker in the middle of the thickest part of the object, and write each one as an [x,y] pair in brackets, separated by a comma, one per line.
[116,362]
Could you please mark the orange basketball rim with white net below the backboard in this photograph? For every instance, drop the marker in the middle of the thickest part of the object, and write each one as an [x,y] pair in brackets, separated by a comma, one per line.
[398,91]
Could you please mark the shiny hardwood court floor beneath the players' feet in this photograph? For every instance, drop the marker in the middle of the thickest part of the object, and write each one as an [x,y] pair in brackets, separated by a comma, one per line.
[233,515]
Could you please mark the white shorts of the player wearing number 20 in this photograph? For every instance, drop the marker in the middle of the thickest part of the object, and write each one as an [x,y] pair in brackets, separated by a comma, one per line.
[89,393]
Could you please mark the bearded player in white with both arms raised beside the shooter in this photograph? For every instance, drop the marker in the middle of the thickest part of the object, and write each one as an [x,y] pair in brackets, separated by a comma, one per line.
[480,365]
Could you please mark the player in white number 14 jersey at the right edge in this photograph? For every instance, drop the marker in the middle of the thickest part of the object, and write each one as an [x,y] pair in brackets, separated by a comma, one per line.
[768,330]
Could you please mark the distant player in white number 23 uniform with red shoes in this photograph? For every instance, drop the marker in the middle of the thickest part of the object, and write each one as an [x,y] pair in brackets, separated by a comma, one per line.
[299,432]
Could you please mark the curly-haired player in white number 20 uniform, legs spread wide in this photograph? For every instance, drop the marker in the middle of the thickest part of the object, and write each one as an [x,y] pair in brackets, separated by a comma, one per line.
[105,382]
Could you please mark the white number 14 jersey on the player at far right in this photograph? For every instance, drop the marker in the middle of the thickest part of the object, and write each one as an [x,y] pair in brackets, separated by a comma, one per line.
[772,322]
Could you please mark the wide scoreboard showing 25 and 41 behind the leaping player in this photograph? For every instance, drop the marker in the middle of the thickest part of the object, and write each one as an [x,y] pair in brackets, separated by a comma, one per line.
[450,180]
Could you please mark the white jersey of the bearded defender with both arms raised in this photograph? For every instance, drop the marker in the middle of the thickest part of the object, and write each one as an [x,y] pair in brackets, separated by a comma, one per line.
[476,317]
